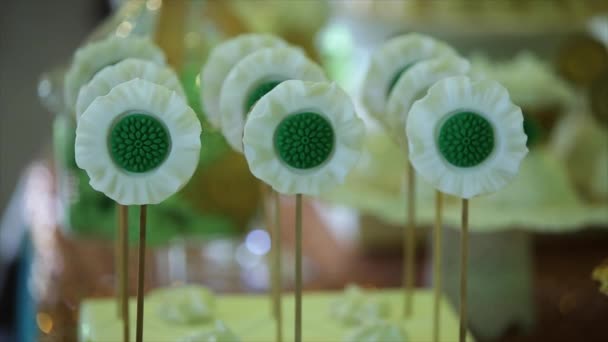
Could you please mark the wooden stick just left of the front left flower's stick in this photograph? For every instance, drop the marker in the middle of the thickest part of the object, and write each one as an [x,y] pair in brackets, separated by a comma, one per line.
[123,256]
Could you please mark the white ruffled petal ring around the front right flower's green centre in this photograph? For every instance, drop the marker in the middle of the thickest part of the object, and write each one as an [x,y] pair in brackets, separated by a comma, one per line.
[487,98]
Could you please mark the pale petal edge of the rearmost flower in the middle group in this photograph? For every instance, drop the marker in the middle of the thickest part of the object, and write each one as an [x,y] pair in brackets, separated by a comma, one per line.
[221,59]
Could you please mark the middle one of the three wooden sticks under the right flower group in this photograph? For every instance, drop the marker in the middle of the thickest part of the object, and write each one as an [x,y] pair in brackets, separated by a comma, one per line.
[437,267]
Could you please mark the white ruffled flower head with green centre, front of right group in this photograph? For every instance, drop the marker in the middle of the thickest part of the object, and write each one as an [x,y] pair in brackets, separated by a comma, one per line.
[466,137]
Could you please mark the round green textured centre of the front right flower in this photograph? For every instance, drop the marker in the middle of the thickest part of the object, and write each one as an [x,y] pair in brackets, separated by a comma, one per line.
[466,139]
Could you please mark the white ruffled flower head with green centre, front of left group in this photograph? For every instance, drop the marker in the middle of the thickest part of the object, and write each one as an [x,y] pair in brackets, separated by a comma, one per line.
[139,144]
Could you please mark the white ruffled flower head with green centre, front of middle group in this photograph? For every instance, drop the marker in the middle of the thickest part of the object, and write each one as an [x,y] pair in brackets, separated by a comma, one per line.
[303,137]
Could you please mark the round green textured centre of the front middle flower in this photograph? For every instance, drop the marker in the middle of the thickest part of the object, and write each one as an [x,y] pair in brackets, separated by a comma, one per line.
[304,141]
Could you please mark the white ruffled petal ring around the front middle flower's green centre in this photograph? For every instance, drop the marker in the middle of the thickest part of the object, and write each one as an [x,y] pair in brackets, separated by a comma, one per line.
[291,97]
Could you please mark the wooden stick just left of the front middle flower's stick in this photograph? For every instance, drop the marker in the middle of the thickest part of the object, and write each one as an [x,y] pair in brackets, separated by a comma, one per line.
[278,274]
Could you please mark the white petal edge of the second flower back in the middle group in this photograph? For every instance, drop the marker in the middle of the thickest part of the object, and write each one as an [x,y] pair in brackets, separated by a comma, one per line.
[263,65]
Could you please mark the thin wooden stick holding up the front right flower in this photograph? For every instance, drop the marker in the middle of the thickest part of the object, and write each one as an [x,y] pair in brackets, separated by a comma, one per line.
[464,242]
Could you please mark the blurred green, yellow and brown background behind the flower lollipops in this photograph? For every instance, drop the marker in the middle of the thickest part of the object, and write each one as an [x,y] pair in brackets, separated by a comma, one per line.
[535,246]
